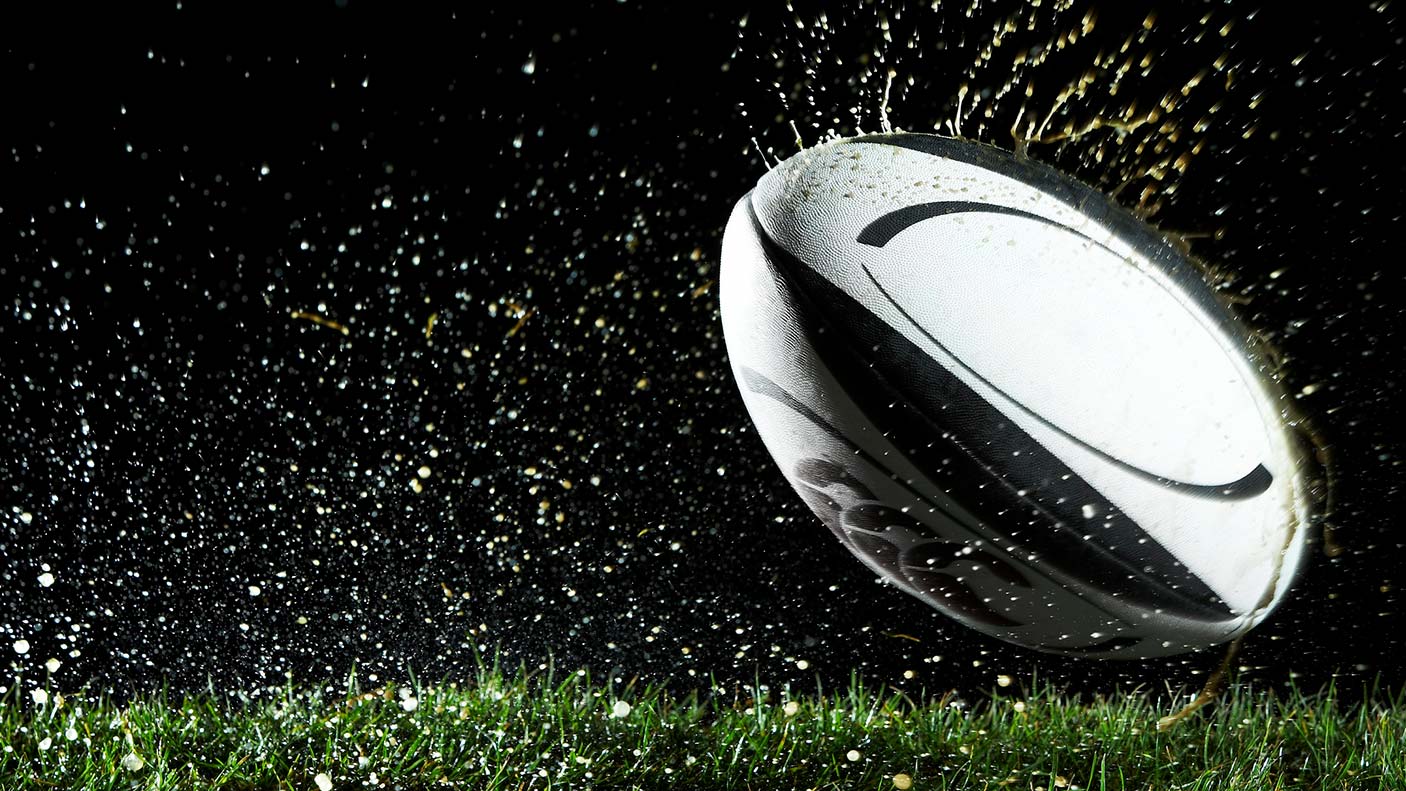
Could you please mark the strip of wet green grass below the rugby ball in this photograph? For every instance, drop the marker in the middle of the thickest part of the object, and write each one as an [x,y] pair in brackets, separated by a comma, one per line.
[520,731]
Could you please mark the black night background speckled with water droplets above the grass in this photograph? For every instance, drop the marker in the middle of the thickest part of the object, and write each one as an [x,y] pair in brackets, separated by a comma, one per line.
[528,439]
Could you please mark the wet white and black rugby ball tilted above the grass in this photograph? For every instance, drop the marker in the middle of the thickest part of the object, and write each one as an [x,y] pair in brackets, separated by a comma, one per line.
[1012,398]
